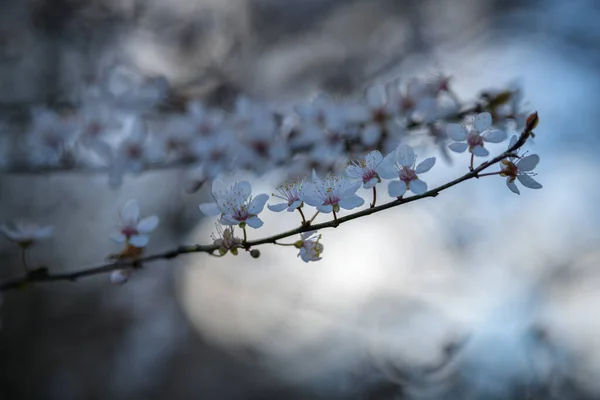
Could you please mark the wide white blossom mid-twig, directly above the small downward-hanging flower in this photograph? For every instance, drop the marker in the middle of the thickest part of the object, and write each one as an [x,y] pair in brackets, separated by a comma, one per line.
[332,193]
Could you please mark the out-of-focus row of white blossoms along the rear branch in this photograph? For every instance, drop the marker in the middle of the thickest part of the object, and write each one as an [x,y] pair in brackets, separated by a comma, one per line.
[116,128]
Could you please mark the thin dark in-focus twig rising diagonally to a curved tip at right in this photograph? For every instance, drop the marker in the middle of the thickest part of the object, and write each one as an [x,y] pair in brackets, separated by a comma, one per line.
[42,274]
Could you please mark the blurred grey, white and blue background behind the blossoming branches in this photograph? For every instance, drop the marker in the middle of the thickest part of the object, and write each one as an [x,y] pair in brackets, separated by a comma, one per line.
[478,294]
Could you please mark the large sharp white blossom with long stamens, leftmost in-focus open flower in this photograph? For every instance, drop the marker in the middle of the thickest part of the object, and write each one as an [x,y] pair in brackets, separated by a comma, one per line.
[235,204]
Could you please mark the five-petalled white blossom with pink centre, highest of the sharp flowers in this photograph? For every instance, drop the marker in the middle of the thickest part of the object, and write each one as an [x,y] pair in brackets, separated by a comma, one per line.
[475,139]
